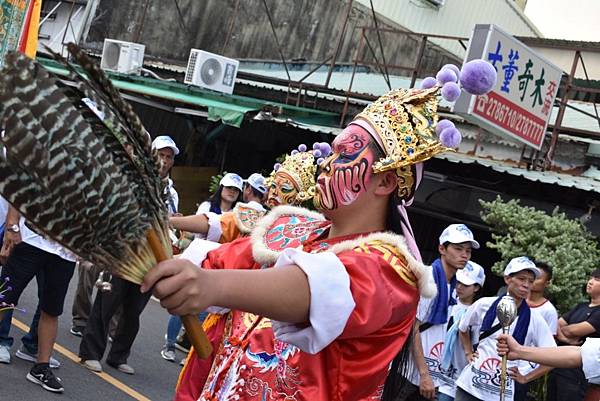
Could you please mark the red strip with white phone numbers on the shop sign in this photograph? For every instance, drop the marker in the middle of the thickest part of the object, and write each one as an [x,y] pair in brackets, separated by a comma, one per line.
[510,117]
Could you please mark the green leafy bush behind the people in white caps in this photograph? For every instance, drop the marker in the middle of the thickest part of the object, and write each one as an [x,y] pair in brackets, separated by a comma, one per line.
[563,243]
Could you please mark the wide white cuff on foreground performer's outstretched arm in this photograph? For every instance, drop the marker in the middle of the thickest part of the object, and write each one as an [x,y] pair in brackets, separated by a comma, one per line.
[331,301]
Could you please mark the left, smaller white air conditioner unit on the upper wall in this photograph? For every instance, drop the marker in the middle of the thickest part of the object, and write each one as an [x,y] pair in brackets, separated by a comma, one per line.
[123,57]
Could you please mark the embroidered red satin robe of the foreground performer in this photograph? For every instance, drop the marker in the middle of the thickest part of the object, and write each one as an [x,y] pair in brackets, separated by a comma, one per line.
[253,365]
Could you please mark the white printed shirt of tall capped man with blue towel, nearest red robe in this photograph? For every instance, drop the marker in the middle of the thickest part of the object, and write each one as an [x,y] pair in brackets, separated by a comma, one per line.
[432,341]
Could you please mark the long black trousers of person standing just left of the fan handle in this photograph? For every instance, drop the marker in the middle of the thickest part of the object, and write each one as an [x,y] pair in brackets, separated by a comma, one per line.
[105,305]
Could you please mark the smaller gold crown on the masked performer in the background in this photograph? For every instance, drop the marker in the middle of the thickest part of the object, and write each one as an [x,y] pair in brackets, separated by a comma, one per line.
[302,168]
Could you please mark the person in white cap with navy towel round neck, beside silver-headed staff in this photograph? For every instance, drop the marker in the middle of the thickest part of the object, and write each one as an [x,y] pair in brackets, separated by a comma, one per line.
[480,379]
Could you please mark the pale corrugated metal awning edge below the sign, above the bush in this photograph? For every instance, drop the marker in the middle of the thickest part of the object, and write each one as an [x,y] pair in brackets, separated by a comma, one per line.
[590,182]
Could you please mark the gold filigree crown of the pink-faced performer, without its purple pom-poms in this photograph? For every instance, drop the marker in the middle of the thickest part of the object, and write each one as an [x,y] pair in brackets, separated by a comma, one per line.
[405,120]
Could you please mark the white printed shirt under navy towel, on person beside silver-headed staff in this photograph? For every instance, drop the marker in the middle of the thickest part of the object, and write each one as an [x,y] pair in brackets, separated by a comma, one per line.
[481,378]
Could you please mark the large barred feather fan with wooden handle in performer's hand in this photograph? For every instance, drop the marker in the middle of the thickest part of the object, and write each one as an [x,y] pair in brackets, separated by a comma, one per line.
[66,167]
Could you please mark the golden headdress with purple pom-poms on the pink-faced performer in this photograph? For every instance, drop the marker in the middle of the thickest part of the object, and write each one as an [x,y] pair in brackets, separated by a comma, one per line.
[405,121]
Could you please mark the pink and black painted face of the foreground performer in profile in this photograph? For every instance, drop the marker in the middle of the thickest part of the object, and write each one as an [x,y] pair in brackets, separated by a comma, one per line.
[346,174]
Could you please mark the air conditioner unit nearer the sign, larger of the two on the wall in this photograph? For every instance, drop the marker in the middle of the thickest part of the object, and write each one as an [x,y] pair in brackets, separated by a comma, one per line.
[211,71]
